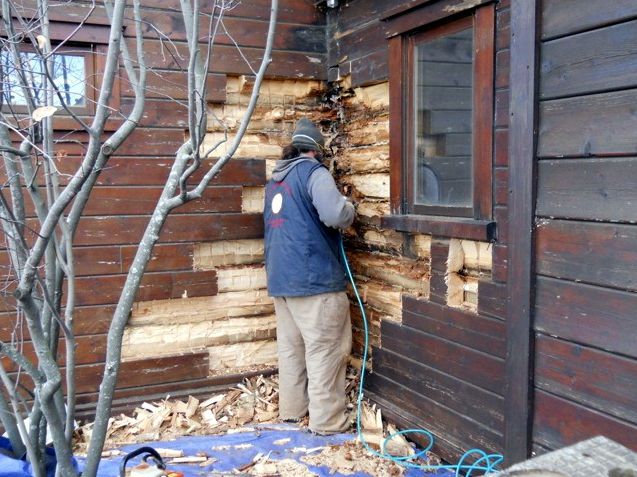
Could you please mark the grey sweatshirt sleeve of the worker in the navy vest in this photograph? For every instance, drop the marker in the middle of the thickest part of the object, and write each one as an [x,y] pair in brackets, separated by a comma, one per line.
[333,208]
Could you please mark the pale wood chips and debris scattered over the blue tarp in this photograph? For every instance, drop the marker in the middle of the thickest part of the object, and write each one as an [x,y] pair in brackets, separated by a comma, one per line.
[251,403]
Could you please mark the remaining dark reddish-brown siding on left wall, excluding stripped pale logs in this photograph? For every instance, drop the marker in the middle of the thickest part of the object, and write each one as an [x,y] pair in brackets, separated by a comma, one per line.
[128,188]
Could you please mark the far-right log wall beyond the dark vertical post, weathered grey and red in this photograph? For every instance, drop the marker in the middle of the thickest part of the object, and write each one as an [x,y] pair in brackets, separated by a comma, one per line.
[586,237]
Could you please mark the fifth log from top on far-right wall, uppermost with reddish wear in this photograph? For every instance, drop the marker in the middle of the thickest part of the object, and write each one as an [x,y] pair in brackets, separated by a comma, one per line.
[600,254]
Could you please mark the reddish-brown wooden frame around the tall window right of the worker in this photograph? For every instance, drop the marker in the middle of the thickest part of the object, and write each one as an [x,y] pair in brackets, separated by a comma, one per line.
[404,33]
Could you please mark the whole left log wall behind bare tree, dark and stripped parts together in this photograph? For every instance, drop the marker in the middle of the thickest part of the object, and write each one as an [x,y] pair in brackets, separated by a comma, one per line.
[202,314]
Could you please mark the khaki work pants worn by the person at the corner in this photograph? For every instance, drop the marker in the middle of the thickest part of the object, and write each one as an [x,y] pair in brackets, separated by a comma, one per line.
[314,336]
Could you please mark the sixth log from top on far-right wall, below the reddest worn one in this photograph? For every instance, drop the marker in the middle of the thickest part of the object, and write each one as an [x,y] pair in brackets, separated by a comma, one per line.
[599,317]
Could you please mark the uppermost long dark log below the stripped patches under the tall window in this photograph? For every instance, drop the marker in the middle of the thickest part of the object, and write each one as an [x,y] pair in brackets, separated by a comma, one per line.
[453,324]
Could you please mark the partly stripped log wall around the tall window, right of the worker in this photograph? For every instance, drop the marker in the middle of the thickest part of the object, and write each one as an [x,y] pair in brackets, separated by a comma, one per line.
[437,302]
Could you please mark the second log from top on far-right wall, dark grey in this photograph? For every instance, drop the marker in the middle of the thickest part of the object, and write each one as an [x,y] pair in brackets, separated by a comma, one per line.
[590,62]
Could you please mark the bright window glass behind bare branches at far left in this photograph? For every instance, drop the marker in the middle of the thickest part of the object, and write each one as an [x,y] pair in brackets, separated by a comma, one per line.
[68,75]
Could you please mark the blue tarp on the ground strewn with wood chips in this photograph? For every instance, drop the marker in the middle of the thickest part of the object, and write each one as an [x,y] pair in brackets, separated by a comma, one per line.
[231,451]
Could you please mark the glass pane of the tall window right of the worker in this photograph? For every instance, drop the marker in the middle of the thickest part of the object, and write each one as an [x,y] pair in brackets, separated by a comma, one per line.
[442,170]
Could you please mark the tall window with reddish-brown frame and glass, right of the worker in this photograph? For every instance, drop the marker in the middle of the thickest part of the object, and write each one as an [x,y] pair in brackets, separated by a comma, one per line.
[441,85]
